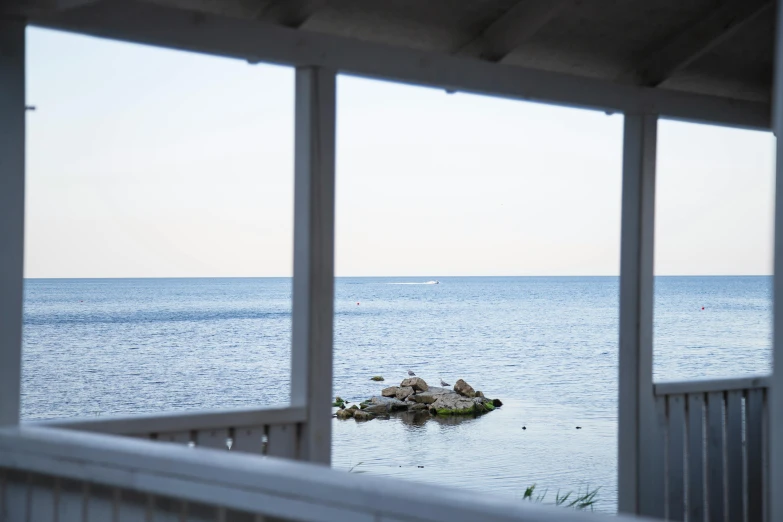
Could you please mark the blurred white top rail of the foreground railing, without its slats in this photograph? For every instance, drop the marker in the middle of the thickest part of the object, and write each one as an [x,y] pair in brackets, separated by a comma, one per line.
[267,486]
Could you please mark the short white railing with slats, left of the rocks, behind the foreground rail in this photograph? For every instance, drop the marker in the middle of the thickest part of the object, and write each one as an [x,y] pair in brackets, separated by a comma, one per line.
[266,431]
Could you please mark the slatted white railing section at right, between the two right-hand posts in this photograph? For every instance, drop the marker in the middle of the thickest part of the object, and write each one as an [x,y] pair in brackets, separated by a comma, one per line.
[714,438]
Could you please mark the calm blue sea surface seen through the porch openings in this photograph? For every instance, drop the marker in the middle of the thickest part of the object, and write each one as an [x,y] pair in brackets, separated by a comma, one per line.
[546,346]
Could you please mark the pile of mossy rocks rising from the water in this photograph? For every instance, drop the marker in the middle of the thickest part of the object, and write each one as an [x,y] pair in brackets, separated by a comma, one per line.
[415,397]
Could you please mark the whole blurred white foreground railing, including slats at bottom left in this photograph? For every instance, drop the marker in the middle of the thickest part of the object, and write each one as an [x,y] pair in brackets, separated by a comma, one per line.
[51,474]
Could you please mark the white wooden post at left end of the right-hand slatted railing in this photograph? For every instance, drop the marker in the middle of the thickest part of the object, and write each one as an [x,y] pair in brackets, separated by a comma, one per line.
[636,414]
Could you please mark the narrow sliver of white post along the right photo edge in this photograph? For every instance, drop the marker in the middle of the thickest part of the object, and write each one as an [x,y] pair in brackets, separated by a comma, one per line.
[775,399]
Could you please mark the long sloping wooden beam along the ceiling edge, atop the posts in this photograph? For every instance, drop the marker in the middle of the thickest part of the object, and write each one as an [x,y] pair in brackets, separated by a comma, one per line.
[257,41]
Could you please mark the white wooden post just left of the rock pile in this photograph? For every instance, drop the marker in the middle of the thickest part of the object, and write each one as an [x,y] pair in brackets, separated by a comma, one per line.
[313,307]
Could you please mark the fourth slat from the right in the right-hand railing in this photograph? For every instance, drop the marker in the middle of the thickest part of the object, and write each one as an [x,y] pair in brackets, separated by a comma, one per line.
[696,450]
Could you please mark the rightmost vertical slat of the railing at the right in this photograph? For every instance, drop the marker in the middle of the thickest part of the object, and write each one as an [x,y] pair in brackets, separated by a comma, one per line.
[754,411]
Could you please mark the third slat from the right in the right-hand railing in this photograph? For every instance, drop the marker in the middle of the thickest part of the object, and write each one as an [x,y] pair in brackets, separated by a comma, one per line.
[716,492]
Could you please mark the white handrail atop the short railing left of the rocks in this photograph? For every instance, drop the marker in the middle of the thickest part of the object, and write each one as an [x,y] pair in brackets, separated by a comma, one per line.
[179,421]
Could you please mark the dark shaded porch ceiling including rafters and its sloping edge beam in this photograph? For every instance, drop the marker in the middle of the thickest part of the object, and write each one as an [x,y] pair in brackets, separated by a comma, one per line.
[720,51]
